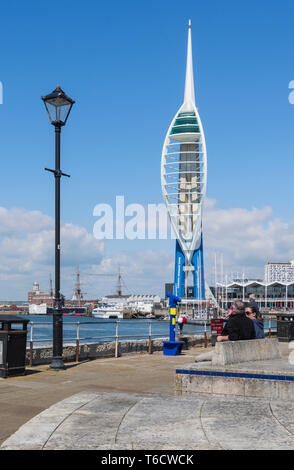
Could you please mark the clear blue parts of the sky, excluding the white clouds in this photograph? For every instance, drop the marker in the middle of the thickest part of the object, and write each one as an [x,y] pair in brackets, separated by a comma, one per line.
[124,64]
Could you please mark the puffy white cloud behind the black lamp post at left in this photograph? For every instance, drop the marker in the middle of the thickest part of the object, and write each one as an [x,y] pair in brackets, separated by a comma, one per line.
[27,251]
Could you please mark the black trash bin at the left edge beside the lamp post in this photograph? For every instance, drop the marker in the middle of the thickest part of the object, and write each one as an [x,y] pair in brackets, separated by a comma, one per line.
[13,339]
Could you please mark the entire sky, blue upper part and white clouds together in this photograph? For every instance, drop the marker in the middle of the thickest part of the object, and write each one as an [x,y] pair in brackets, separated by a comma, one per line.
[124,65]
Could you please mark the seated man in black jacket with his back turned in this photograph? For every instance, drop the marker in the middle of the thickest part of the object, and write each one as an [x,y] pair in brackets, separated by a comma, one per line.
[238,326]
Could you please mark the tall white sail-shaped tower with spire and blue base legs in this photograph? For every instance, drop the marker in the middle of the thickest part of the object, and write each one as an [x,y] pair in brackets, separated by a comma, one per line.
[183,180]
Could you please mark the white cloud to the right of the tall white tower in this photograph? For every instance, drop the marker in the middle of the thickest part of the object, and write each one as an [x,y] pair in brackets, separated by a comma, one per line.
[246,238]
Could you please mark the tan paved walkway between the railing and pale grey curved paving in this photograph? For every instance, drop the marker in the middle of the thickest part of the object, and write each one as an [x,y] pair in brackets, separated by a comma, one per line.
[24,397]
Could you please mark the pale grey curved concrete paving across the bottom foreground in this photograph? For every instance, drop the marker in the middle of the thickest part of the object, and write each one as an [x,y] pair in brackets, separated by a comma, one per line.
[114,421]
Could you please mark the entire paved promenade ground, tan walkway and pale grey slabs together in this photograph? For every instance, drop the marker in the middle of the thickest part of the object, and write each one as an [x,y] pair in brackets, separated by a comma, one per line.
[129,403]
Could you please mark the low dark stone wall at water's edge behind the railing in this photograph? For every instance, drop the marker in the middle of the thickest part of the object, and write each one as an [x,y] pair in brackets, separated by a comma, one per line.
[88,351]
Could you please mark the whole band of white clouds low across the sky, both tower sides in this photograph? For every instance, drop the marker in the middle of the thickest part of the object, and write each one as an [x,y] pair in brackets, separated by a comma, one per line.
[245,237]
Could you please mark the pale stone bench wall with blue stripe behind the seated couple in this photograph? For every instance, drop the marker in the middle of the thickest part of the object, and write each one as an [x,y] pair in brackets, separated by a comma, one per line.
[252,368]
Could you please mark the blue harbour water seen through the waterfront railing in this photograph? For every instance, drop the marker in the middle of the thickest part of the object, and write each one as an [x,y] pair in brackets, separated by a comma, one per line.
[102,330]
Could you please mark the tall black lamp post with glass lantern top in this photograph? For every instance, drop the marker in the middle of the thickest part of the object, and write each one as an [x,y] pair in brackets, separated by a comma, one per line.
[58,106]
